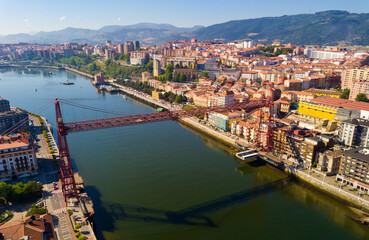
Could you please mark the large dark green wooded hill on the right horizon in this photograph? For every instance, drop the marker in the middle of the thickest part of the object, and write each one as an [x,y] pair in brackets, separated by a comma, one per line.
[329,27]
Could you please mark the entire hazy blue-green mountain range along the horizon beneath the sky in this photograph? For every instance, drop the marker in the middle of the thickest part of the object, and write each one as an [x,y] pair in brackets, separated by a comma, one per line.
[329,27]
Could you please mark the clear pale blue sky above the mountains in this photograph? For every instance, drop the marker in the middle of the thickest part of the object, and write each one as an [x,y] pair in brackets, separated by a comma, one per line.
[30,16]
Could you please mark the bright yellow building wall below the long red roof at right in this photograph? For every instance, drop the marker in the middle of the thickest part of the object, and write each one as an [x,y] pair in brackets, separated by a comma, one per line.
[316,110]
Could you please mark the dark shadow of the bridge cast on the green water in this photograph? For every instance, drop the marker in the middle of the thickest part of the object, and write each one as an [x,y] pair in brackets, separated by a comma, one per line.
[194,215]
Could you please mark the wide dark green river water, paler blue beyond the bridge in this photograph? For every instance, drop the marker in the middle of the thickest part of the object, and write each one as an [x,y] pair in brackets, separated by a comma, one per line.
[165,181]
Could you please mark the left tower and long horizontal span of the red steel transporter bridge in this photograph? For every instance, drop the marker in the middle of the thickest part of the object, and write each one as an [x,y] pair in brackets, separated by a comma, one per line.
[67,176]
